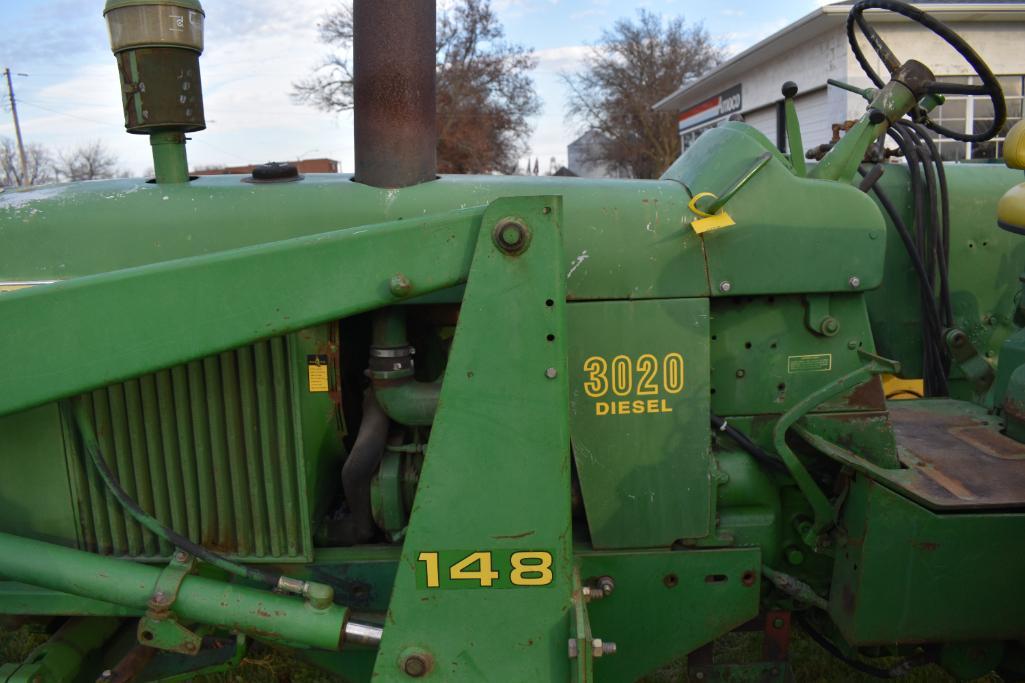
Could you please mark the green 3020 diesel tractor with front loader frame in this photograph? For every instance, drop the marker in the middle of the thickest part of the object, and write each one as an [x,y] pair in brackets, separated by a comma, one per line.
[515,429]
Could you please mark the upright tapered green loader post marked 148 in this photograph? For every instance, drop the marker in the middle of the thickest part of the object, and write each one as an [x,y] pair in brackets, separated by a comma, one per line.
[490,597]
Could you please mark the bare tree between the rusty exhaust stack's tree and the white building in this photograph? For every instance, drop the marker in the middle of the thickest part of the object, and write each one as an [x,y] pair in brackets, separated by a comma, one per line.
[634,66]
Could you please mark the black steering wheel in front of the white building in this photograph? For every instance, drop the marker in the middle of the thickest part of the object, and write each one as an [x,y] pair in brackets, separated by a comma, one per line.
[990,87]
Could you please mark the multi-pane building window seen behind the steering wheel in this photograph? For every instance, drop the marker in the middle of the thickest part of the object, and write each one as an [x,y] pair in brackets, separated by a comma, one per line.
[975,114]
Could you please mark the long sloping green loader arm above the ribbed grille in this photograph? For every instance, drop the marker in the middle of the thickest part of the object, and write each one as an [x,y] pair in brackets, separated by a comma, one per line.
[174,312]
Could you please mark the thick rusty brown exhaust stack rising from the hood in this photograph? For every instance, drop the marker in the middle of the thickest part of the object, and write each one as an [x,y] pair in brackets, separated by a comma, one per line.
[394,57]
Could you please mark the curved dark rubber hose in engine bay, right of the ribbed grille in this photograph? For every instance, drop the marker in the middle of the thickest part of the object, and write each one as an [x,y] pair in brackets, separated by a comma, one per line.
[359,470]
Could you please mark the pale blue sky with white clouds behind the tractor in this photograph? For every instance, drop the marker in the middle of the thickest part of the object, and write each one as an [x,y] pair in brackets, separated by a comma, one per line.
[257,49]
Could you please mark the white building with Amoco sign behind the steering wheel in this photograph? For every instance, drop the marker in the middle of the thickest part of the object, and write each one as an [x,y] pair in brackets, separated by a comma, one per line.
[815,49]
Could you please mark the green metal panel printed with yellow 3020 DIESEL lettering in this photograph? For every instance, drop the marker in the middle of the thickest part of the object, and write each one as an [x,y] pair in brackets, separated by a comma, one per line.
[639,405]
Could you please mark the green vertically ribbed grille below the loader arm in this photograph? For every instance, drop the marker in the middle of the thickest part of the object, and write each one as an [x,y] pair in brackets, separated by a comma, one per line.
[210,449]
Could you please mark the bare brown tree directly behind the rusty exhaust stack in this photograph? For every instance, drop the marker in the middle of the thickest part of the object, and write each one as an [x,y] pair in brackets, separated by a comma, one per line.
[485,94]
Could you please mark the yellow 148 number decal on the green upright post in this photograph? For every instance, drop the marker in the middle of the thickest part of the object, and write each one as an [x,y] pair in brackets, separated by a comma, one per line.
[463,570]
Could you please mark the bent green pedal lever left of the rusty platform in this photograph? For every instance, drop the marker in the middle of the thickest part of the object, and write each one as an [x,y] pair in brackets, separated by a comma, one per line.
[825,514]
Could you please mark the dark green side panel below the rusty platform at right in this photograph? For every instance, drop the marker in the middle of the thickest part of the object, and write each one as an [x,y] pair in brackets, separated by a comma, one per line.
[907,575]
